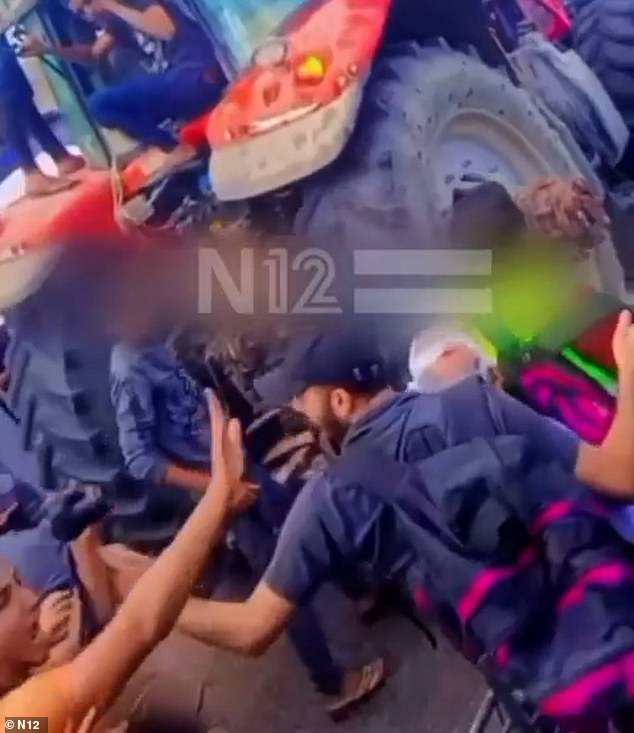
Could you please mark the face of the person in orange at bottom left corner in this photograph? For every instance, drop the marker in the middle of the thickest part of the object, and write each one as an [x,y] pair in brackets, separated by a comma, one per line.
[21,647]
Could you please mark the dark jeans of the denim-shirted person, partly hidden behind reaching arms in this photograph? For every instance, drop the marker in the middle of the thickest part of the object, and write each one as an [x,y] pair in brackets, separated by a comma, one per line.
[257,541]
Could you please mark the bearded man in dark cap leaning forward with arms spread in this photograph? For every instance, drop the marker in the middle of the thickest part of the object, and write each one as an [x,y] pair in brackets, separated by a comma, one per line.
[340,382]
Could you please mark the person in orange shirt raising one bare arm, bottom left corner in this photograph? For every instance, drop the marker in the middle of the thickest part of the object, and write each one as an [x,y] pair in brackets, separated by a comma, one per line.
[75,694]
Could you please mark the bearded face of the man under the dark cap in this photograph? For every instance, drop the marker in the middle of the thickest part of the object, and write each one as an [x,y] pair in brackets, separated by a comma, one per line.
[330,409]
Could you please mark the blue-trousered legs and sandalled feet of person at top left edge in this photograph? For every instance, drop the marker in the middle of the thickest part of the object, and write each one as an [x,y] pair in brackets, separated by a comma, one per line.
[23,123]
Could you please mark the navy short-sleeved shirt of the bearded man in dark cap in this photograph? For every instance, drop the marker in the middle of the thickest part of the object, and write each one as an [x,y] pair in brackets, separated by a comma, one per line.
[333,523]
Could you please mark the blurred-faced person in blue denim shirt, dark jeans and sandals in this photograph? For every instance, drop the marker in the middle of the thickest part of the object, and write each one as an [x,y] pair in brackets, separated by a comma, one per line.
[164,434]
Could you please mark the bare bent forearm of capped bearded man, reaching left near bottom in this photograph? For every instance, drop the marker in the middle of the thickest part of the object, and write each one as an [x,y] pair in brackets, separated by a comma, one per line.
[249,628]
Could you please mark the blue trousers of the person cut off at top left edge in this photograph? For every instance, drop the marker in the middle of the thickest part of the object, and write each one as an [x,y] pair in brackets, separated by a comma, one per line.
[23,123]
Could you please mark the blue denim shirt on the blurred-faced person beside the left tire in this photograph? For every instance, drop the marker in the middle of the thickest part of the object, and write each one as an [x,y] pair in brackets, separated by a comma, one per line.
[161,412]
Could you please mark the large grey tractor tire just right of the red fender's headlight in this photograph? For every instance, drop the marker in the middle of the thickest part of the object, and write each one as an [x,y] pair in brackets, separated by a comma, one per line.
[433,121]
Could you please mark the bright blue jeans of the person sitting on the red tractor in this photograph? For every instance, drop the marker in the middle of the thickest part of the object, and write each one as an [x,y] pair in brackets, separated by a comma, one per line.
[141,105]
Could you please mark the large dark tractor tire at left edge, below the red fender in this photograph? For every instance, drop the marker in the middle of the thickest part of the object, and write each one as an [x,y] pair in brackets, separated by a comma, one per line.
[58,390]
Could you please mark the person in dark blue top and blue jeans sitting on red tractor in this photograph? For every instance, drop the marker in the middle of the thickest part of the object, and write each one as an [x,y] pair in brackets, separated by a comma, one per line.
[185,80]
